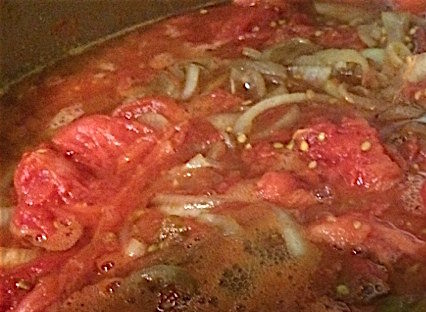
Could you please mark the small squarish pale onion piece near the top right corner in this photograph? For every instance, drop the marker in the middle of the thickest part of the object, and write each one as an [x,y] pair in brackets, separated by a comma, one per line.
[396,25]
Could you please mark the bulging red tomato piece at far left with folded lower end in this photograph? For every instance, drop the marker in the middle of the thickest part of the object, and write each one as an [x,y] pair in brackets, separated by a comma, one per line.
[45,182]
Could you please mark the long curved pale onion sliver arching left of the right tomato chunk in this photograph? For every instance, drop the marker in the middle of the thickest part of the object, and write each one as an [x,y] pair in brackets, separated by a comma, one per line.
[244,122]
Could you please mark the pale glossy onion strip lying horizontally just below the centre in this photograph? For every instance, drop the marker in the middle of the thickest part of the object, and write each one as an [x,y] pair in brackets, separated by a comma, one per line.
[185,205]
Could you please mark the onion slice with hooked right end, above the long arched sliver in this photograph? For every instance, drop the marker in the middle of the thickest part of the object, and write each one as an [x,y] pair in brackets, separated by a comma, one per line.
[333,57]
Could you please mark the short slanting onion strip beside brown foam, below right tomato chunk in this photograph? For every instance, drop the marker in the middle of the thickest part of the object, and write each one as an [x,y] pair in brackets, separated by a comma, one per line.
[290,232]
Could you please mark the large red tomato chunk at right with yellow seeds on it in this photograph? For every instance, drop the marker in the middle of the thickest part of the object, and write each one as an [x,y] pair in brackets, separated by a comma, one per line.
[342,156]
